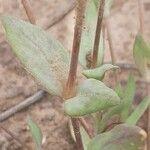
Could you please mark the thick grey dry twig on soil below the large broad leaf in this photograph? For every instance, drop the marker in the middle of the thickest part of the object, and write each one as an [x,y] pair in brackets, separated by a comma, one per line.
[26,103]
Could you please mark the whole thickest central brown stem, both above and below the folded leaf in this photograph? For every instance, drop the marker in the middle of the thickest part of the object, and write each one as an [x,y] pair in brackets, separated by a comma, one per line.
[70,86]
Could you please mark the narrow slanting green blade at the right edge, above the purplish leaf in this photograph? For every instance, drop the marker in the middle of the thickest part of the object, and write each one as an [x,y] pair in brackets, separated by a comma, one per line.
[138,112]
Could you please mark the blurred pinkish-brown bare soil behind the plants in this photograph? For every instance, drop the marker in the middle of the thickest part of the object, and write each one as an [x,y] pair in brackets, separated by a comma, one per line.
[57,17]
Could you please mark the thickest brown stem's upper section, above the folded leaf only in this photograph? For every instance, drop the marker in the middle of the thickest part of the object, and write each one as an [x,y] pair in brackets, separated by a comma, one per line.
[75,49]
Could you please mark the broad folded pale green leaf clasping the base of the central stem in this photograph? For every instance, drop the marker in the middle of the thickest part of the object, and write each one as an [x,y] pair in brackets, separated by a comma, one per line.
[92,96]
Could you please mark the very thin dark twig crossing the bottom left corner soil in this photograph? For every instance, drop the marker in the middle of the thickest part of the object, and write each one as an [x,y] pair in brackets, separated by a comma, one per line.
[24,146]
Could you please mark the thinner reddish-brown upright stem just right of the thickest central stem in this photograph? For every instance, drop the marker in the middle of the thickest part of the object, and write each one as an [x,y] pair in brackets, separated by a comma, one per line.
[98,33]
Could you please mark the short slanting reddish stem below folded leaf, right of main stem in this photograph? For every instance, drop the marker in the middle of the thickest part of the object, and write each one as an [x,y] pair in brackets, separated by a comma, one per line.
[86,127]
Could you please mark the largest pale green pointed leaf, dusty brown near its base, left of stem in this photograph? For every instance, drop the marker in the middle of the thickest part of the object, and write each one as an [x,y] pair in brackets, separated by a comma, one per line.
[42,56]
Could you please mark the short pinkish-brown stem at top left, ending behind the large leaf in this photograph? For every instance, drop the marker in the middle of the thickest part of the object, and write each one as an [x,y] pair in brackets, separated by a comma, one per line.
[29,11]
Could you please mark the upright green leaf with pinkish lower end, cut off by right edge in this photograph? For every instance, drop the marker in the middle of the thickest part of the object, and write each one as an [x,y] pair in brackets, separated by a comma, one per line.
[141,52]
